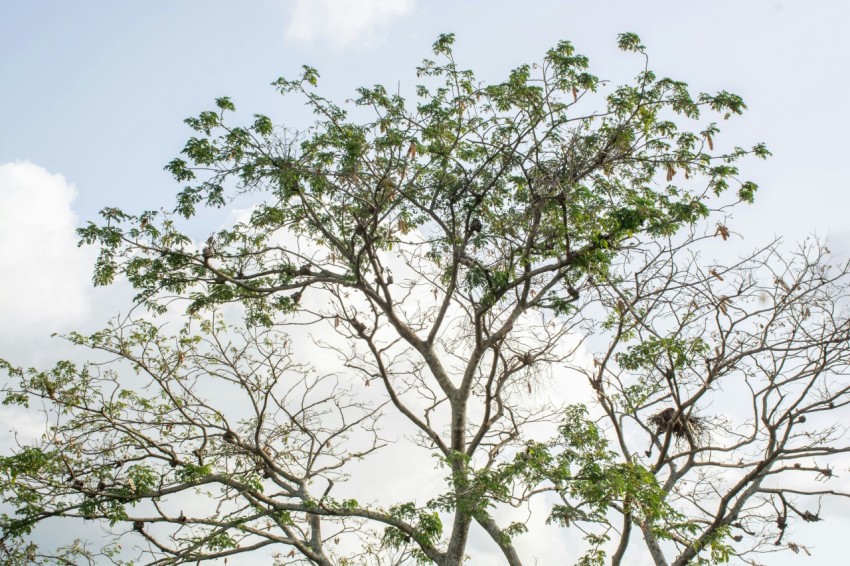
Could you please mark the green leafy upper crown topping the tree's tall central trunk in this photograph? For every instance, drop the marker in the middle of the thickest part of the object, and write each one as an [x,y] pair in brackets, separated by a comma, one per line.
[461,153]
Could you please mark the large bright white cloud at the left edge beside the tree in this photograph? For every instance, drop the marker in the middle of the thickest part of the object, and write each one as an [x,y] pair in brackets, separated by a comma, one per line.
[45,276]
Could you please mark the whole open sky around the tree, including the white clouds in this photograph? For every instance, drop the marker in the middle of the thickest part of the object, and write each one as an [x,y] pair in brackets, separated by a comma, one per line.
[94,93]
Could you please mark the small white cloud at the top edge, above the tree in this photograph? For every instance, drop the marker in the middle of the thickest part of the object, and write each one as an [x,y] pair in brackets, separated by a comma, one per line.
[343,23]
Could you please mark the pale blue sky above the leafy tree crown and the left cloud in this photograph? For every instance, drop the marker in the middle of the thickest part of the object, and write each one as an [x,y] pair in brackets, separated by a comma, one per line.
[97,91]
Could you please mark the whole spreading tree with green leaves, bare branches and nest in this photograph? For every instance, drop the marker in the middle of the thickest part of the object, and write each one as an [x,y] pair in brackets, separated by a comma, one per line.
[458,258]
